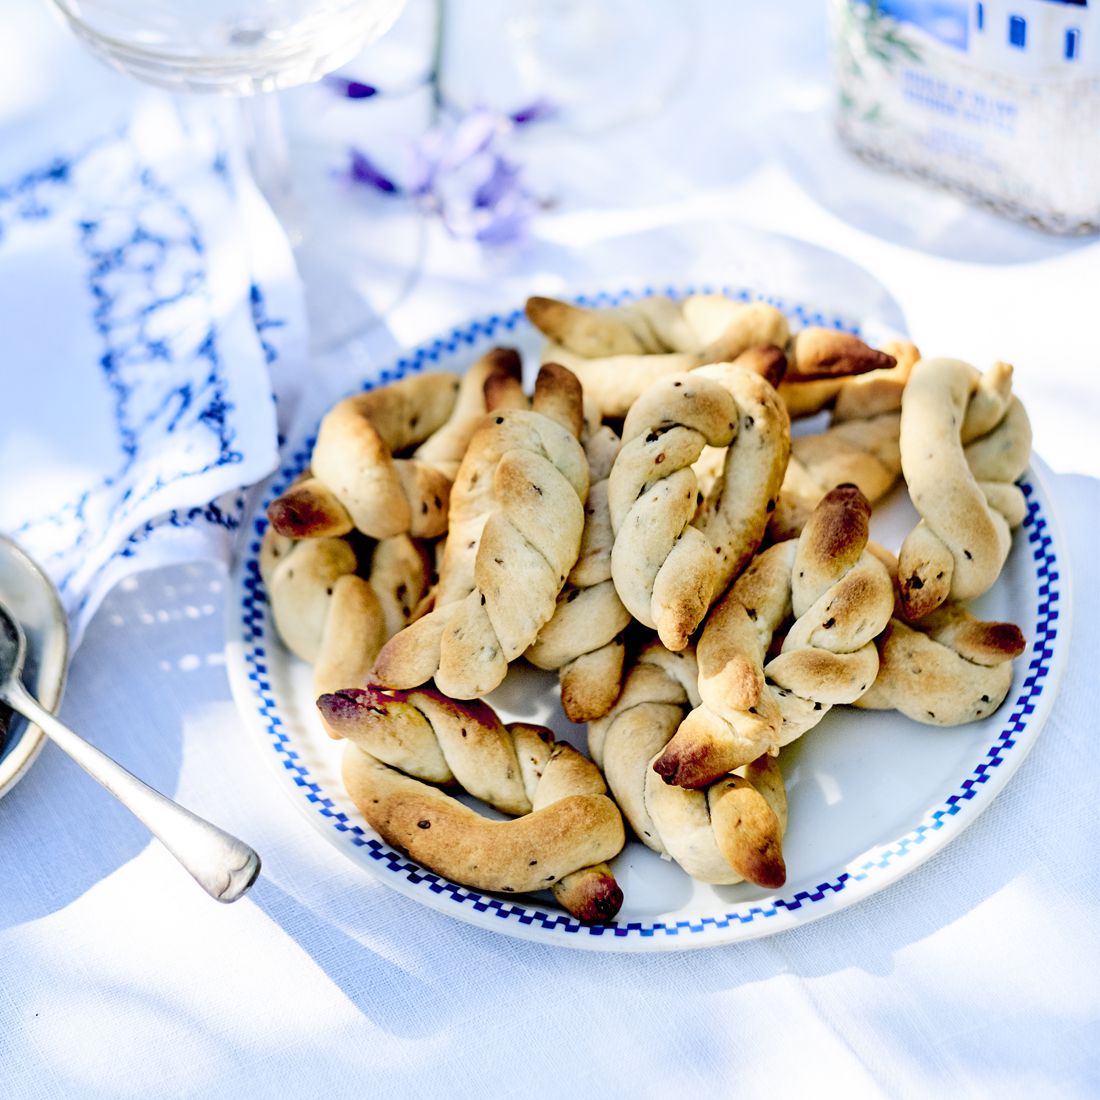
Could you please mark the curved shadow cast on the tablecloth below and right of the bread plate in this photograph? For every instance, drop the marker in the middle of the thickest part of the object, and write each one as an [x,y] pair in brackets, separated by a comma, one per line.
[415,972]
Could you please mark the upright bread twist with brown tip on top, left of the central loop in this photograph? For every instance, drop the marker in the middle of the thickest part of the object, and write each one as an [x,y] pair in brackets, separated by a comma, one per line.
[523,485]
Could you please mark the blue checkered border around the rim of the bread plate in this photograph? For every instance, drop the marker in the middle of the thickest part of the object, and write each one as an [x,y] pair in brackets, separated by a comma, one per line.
[255,624]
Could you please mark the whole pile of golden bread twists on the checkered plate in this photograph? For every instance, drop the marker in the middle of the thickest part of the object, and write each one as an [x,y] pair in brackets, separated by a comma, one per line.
[645,524]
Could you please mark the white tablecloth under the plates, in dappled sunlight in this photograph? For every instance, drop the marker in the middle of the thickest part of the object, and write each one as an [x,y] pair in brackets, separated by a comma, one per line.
[974,976]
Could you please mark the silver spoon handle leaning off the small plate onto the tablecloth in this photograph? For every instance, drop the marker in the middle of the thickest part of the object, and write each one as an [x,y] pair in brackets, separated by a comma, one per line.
[224,866]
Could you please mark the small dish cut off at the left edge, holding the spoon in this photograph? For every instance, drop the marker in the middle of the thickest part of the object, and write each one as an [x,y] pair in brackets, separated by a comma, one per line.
[36,604]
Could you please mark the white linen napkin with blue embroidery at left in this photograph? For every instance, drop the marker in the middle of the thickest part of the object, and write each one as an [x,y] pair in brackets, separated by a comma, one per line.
[148,296]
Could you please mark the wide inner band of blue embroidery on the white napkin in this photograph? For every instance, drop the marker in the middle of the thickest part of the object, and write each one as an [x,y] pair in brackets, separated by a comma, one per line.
[161,360]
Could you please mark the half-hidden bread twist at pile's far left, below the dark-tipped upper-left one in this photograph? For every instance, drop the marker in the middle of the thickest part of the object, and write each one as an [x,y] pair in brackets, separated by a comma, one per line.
[329,617]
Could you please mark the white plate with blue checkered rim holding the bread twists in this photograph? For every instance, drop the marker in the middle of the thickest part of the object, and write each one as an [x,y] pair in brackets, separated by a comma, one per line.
[873,795]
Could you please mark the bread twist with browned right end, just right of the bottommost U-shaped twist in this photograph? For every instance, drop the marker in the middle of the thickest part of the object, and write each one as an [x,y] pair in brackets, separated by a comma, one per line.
[731,832]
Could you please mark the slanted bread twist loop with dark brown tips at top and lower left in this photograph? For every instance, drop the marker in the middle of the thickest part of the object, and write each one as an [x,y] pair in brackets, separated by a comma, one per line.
[842,599]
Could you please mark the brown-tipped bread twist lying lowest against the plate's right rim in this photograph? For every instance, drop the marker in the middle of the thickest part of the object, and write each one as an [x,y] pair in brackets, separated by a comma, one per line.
[949,670]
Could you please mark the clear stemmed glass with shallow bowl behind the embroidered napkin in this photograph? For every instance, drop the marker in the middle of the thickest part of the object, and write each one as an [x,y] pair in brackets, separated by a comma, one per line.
[246,49]
